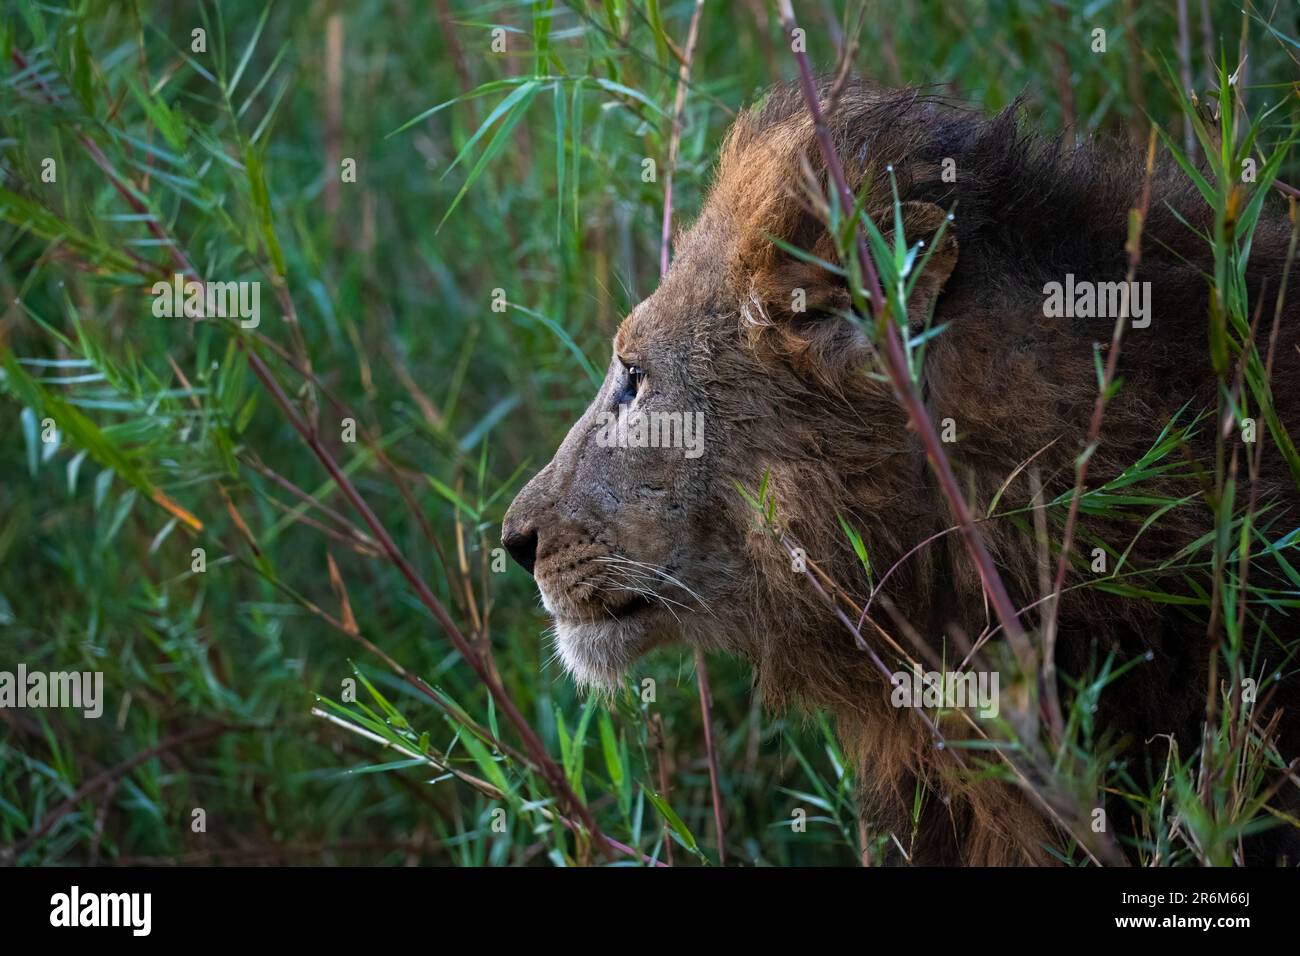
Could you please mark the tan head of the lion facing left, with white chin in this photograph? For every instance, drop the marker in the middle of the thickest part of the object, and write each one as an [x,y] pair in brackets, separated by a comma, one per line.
[740,366]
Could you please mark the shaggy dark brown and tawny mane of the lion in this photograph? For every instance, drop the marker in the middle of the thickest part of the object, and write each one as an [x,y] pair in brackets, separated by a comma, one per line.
[1019,386]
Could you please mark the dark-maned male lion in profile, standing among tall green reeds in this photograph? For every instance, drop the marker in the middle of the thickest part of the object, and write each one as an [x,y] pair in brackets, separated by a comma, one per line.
[636,544]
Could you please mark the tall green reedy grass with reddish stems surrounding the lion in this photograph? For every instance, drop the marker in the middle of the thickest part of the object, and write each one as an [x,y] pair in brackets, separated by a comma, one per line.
[432,328]
